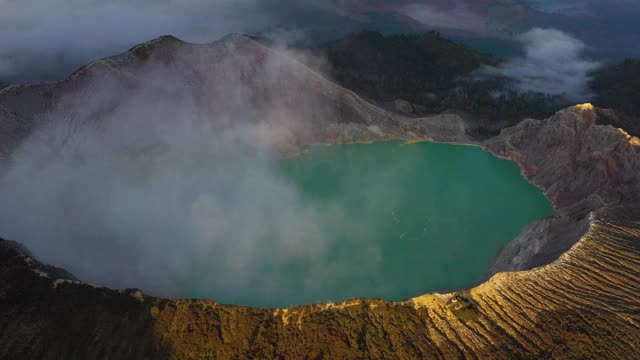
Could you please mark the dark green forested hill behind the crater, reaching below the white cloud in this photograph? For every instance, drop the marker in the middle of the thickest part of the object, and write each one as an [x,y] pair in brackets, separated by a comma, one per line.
[432,73]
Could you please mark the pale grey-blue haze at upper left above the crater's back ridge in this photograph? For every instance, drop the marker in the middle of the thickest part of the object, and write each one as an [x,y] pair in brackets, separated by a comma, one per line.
[42,38]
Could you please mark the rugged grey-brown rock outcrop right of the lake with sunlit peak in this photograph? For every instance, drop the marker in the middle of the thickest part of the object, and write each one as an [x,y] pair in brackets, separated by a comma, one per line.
[582,167]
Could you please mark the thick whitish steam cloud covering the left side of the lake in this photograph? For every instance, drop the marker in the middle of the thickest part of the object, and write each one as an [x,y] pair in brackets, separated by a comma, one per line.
[139,187]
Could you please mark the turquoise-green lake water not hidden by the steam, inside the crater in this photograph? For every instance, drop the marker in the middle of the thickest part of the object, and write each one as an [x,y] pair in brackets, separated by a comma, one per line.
[397,220]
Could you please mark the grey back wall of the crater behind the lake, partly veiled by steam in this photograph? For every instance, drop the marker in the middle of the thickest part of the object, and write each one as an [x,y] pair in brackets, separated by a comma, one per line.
[234,77]
